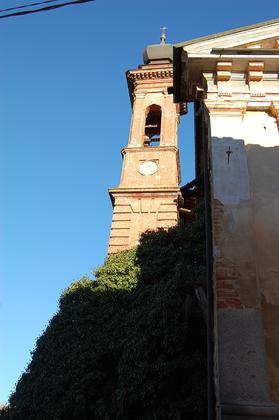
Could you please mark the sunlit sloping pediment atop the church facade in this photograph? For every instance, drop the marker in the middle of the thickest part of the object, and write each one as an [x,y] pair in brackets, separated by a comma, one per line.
[263,35]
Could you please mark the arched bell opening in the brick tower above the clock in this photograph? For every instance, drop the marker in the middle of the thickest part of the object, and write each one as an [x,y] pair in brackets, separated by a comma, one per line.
[152,131]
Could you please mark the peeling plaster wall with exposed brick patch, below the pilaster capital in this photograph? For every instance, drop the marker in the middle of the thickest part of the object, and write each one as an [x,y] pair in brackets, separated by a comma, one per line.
[244,151]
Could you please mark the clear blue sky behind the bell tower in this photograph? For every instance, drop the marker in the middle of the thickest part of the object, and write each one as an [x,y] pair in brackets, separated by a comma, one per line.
[64,117]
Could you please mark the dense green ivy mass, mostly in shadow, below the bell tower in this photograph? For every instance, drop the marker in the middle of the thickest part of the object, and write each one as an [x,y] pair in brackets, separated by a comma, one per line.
[129,345]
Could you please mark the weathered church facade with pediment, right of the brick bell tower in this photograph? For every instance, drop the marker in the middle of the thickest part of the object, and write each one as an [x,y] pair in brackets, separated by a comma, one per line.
[233,79]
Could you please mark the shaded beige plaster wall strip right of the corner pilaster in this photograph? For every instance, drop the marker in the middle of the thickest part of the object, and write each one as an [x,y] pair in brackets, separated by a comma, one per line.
[264,180]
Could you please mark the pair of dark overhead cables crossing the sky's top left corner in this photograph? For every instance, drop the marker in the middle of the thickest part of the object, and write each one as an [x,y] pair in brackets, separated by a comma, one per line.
[41,9]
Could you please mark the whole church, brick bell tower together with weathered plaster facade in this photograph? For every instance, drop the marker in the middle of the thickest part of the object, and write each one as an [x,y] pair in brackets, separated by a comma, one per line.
[233,80]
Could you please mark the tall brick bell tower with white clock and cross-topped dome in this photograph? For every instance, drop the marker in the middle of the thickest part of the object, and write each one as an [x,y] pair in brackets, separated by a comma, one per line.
[147,196]
